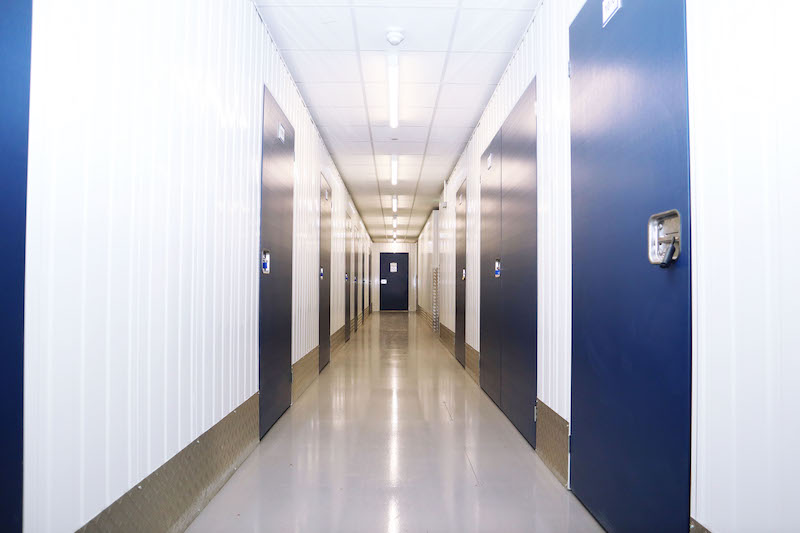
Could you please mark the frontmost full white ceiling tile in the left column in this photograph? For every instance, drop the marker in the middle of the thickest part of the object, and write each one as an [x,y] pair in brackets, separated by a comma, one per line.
[309,27]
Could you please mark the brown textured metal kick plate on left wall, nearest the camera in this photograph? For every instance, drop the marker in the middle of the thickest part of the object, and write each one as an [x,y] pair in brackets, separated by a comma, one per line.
[170,498]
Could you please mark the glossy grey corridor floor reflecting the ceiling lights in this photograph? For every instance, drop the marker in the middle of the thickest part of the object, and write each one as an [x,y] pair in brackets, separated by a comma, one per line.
[394,436]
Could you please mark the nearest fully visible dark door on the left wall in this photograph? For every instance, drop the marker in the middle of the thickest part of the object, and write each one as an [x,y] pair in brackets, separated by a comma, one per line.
[275,287]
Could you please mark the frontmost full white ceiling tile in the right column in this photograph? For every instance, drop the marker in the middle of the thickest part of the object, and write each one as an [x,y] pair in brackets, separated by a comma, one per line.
[490,30]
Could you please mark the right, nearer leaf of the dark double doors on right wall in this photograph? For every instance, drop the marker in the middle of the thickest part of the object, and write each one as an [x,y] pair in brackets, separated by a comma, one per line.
[518,257]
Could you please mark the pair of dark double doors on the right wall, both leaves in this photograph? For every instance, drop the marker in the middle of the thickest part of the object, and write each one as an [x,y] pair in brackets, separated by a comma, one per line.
[508,266]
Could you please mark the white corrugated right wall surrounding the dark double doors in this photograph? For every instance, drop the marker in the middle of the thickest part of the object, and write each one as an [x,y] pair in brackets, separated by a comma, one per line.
[543,53]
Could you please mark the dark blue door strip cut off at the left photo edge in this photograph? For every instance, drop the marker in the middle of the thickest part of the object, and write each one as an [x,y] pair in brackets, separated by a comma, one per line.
[15,76]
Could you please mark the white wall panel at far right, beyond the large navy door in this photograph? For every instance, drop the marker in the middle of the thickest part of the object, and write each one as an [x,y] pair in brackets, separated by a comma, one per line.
[745,166]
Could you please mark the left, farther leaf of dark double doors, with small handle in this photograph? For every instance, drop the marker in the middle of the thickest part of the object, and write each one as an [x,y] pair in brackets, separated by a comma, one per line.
[491,300]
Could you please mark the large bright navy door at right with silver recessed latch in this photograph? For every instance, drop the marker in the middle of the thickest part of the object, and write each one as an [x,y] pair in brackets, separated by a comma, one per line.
[631,336]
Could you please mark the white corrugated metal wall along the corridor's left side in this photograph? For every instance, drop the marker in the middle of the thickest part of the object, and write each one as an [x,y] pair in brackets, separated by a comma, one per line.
[141,294]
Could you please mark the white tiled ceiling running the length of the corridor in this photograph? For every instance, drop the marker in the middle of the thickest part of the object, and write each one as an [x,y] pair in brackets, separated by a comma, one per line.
[452,57]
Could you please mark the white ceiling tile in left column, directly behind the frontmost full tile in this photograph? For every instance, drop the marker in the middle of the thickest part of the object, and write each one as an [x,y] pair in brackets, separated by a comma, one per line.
[322,66]
